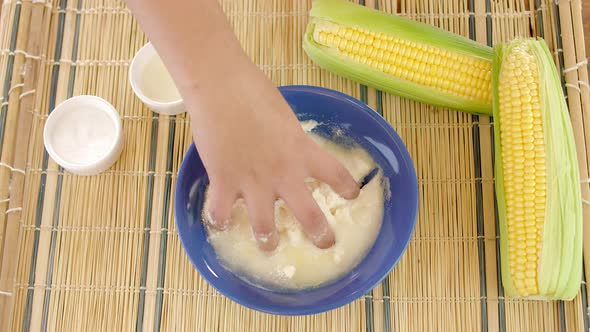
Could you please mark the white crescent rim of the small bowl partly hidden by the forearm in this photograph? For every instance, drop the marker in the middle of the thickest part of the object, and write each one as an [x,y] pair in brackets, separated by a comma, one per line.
[136,72]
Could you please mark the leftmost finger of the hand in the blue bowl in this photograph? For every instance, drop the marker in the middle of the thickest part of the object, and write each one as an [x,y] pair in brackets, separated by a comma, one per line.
[220,202]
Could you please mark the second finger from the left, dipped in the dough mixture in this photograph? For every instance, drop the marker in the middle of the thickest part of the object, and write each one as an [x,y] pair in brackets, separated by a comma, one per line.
[261,210]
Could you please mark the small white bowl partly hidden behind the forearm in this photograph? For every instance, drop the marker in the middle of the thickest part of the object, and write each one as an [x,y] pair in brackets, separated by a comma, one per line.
[152,83]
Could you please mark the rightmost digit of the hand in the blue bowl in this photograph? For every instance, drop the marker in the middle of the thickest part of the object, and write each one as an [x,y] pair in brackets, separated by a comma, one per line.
[328,169]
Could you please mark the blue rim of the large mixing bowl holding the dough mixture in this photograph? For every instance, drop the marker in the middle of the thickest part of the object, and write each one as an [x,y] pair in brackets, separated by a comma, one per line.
[179,210]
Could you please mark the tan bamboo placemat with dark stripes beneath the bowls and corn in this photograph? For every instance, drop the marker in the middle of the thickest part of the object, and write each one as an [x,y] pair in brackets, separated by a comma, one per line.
[102,252]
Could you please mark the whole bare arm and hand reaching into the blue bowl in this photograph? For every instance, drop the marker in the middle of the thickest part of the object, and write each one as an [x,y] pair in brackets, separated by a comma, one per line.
[250,141]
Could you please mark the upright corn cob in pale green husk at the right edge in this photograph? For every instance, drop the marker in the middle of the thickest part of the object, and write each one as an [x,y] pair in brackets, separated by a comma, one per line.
[537,180]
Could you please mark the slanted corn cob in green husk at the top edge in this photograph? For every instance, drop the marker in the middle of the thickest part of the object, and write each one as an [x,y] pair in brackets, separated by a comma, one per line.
[400,56]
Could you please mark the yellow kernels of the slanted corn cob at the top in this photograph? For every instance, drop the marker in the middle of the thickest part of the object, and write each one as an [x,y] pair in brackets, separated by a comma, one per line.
[423,64]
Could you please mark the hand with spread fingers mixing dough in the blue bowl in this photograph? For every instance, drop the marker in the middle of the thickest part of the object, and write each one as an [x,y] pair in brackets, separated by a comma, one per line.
[254,148]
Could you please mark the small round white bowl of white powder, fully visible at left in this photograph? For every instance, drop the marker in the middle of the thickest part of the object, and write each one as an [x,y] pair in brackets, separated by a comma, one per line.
[83,134]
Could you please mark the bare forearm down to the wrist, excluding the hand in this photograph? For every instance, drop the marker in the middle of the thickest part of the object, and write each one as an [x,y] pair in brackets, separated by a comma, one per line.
[197,45]
